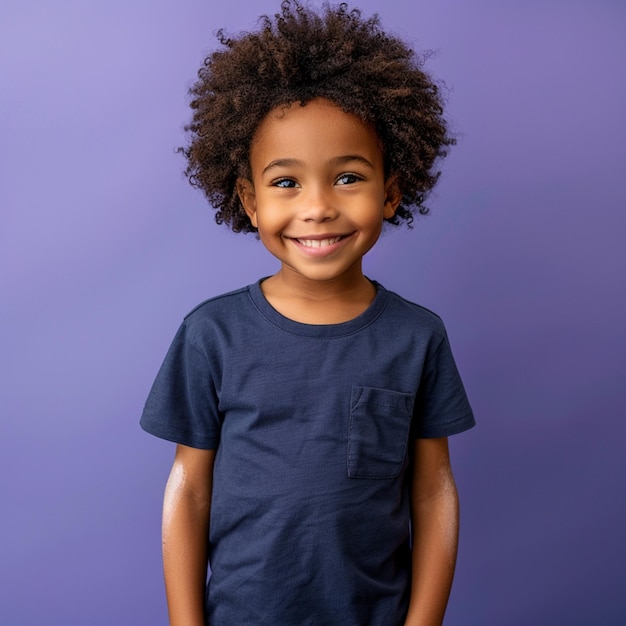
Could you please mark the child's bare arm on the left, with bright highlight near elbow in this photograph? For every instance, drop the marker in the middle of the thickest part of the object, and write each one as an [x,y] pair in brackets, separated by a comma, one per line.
[186,510]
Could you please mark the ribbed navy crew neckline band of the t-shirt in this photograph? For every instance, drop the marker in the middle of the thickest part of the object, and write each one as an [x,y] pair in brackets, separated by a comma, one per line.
[322,331]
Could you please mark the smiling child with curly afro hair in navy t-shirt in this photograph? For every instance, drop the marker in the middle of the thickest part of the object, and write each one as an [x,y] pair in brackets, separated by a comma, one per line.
[311,409]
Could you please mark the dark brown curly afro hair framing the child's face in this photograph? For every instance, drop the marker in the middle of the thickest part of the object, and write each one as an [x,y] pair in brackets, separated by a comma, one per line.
[298,56]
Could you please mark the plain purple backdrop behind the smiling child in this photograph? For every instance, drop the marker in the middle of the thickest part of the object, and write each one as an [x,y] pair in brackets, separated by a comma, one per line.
[104,247]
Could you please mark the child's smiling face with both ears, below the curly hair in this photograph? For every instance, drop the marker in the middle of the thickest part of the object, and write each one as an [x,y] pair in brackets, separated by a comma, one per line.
[318,194]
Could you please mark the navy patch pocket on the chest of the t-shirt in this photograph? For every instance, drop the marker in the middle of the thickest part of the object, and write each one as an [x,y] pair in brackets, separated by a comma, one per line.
[378,433]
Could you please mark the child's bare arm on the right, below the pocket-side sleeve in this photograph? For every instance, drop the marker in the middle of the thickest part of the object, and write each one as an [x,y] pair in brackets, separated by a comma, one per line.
[435,530]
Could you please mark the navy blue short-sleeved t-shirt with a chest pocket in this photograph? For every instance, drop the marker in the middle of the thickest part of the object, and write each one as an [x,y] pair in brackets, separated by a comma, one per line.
[312,425]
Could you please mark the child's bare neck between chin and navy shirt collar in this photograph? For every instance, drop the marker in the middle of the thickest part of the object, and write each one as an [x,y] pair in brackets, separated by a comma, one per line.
[319,302]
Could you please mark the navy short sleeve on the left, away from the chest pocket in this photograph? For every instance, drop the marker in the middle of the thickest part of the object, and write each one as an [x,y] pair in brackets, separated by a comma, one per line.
[182,405]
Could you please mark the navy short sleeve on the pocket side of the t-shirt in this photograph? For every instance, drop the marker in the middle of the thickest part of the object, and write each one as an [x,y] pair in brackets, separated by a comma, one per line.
[441,407]
